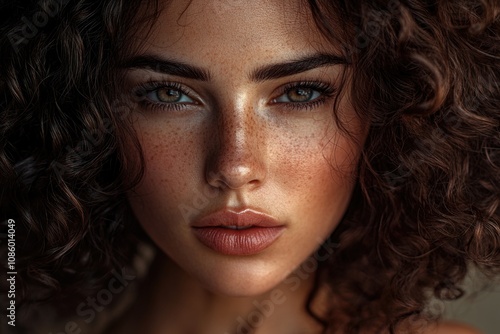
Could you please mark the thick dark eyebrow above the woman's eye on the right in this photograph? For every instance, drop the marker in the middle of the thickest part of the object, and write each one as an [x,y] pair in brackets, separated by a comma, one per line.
[307,63]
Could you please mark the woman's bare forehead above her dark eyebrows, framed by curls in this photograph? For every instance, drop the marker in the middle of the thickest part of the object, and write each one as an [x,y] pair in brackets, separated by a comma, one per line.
[202,31]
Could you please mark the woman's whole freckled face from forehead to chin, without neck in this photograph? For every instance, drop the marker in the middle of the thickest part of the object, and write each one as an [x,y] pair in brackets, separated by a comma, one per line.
[235,115]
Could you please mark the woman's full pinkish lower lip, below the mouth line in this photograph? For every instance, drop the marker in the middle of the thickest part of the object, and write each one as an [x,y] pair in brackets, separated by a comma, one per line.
[238,242]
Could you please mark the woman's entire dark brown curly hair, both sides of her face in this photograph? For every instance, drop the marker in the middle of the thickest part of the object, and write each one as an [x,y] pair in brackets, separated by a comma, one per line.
[426,207]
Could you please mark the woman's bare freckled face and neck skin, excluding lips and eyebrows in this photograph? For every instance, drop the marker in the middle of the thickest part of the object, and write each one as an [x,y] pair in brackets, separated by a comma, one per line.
[231,141]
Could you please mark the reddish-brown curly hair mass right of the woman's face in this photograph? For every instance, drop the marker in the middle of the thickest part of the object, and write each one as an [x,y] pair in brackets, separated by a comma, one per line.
[427,75]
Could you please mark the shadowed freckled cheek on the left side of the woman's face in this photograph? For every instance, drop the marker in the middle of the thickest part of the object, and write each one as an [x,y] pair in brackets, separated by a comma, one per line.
[171,165]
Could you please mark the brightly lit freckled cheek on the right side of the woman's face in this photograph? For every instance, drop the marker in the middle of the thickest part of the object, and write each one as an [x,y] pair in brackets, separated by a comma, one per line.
[318,181]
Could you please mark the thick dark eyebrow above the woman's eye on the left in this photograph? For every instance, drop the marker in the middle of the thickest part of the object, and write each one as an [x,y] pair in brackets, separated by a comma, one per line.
[167,66]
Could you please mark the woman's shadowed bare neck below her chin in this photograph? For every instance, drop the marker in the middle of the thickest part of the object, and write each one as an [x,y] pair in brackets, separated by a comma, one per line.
[172,301]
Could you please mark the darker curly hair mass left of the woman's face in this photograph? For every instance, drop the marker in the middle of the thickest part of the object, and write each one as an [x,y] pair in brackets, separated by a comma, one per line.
[61,135]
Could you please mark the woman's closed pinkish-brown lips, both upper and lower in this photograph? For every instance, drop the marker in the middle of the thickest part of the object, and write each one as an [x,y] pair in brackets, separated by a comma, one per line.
[244,232]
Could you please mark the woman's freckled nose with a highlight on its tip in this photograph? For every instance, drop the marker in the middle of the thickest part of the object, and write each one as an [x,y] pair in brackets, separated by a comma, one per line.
[237,155]
